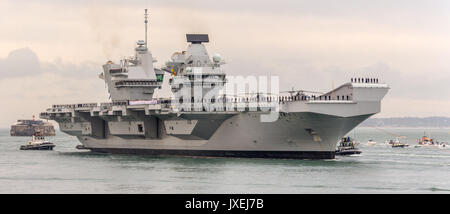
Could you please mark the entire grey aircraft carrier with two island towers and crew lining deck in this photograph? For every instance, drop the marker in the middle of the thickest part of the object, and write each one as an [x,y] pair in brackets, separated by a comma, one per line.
[200,119]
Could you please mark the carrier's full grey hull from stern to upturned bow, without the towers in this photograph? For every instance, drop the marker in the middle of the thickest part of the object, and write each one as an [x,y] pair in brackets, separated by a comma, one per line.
[305,129]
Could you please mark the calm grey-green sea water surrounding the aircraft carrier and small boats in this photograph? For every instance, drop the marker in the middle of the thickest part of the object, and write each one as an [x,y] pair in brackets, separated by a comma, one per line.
[379,169]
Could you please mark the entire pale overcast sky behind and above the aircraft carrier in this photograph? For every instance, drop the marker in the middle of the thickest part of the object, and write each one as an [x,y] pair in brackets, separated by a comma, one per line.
[51,51]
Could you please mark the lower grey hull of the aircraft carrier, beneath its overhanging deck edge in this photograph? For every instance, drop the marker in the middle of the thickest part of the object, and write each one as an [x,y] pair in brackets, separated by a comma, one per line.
[301,135]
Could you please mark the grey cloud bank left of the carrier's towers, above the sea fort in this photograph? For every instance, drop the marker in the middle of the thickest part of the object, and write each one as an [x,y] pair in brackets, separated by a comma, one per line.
[31,86]
